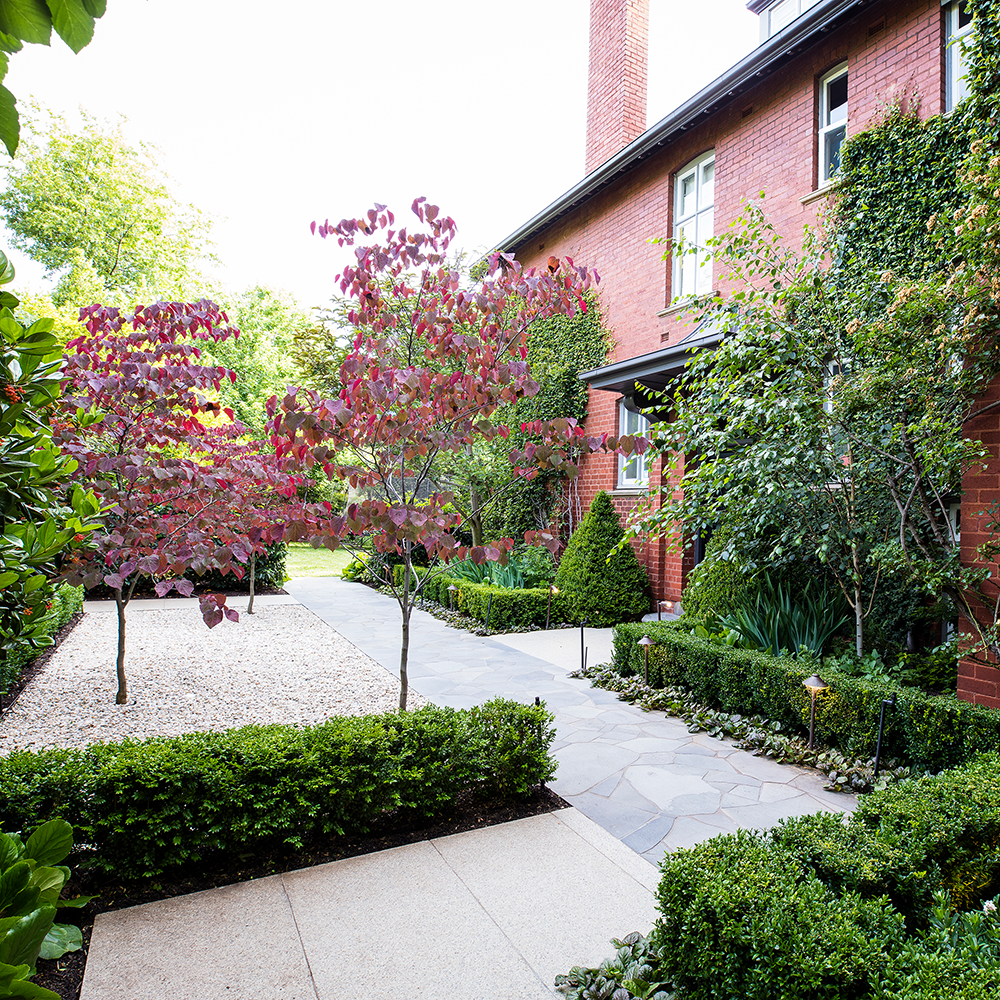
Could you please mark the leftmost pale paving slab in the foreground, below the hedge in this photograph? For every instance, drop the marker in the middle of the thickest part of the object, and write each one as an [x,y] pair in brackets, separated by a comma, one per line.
[238,941]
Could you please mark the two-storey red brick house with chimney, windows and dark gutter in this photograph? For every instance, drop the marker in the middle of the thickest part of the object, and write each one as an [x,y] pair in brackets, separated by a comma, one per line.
[774,122]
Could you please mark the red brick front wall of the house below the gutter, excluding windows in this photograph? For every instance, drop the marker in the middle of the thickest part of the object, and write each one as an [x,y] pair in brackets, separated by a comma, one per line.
[772,148]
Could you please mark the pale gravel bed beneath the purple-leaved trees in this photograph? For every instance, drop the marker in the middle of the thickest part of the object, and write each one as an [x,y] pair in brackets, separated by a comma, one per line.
[281,664]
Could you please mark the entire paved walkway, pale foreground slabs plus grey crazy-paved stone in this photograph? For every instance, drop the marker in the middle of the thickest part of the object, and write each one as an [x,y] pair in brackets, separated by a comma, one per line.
[494,913]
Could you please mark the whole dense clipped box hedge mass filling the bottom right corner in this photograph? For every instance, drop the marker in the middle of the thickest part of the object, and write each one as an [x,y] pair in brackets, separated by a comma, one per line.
[825,908]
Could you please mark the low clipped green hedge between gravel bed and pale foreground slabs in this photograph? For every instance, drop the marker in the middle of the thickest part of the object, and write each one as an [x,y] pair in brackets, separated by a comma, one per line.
[146,806]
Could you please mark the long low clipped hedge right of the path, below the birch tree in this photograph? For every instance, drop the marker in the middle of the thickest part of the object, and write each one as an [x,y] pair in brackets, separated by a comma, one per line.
[929,732]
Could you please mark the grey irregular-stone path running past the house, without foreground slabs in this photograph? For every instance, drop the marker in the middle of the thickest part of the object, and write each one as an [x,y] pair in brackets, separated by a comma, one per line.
[643,777]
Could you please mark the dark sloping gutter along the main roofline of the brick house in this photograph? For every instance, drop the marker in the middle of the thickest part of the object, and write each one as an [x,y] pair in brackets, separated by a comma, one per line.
[751,69]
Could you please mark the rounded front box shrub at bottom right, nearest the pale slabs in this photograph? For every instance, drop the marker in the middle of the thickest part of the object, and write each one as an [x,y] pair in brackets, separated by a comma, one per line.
[740,917]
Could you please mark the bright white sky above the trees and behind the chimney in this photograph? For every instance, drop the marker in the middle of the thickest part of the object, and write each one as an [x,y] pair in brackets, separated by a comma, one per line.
[269,116]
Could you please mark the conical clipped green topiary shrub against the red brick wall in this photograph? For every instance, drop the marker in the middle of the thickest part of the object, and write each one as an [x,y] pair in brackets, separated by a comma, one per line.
[603,591]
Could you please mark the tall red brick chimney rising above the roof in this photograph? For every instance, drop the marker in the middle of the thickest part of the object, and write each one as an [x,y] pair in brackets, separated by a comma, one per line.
[616,93]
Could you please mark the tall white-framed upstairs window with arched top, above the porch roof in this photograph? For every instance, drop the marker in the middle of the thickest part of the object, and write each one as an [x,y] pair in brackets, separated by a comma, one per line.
[694,222]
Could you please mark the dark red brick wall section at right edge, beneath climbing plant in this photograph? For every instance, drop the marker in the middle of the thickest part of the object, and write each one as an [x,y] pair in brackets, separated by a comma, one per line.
[980,682]
